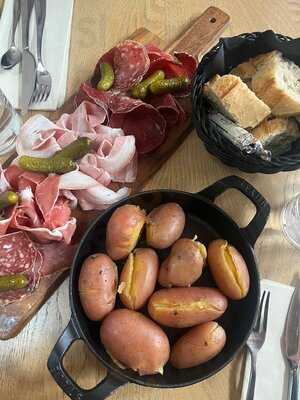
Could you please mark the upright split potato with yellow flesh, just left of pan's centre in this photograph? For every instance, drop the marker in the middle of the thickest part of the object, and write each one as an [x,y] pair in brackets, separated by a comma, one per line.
[138,278]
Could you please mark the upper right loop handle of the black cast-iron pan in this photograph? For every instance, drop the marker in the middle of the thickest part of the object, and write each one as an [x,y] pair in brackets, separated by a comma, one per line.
[255,227]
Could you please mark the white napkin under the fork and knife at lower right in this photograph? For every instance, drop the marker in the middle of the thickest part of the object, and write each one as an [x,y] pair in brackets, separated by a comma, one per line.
[272,371]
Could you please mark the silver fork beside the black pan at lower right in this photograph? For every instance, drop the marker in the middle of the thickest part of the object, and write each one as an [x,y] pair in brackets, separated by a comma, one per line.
[257,339]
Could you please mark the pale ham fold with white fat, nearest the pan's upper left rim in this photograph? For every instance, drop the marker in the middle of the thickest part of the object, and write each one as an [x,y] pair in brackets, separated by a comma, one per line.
[99,197]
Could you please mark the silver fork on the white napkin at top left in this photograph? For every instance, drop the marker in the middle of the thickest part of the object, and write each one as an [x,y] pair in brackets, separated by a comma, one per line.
[43,77]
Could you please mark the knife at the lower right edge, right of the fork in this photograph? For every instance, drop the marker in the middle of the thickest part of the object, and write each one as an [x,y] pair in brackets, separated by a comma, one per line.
[292,343]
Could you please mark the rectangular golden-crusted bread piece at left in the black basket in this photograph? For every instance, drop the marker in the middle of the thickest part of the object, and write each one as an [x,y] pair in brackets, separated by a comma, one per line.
[232,97]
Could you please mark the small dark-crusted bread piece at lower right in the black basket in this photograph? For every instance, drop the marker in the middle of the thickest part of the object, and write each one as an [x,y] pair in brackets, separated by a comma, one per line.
[277,132]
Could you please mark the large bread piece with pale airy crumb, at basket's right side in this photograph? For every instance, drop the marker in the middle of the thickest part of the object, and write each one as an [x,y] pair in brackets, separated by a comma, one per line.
[277,83]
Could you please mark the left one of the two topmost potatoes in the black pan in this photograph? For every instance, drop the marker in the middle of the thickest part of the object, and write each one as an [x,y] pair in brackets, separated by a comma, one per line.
[123,230]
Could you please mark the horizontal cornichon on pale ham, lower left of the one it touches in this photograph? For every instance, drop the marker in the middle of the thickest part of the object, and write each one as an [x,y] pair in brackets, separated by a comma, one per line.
[56,165]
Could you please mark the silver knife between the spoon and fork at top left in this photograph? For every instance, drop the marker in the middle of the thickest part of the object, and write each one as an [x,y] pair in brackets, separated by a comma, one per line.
[28,60]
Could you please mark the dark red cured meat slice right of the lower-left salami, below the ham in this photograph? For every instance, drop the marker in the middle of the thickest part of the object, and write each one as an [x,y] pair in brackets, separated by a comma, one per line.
[56,257]
